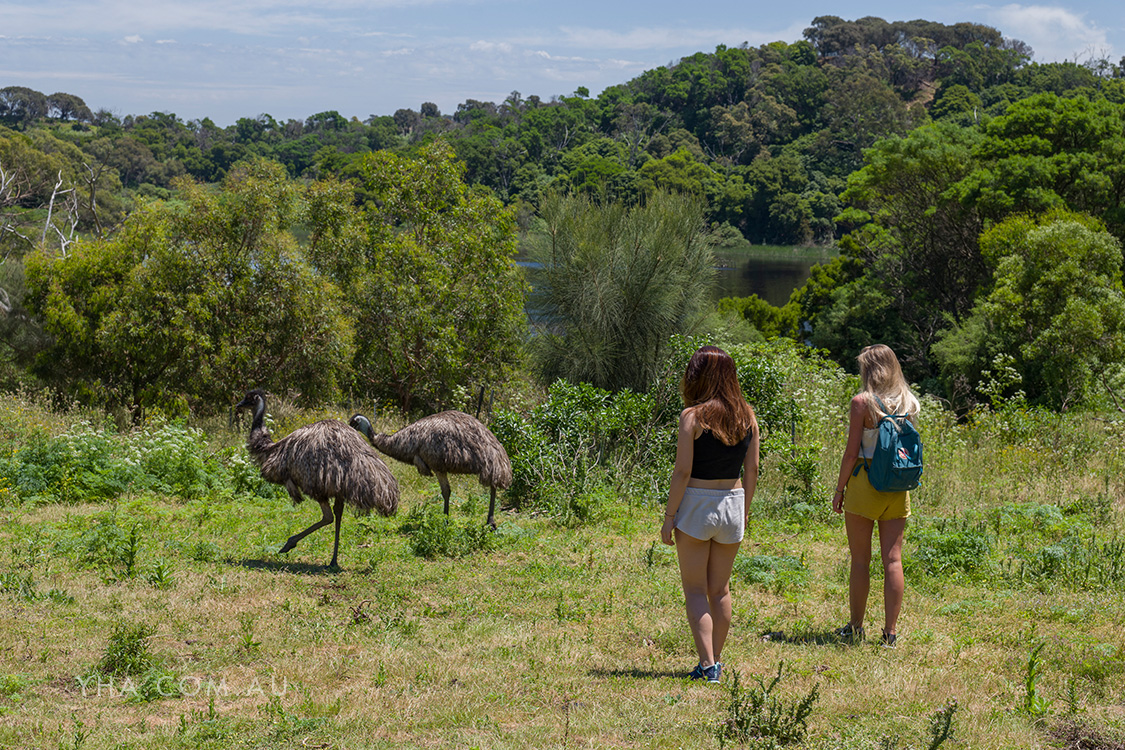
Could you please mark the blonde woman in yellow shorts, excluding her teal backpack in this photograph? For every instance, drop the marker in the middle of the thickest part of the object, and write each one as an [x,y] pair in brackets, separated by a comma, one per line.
[885,392]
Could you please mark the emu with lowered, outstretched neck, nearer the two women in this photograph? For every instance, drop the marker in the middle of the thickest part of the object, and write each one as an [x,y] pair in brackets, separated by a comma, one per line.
[445,444]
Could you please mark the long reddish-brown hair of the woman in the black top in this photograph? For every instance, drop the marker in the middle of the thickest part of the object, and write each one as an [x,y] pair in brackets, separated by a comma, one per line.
[710,383]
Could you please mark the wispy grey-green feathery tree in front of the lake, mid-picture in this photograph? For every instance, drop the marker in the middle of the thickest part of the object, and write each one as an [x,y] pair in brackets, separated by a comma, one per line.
[618,282]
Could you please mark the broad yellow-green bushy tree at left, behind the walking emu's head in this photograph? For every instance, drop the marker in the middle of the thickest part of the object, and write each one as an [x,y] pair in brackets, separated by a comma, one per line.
[192,302]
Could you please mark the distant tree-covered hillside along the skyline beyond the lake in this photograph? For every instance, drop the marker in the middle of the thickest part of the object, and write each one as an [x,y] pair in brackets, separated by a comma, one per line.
[766,134]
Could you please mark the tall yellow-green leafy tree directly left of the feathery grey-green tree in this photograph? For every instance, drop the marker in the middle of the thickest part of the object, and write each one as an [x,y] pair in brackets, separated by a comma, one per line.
[429,276]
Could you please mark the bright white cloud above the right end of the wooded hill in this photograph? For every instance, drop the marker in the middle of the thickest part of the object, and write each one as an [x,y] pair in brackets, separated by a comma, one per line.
[1055,33]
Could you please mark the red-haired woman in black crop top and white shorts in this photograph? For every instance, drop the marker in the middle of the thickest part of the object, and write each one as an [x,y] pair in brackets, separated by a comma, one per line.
[709,501]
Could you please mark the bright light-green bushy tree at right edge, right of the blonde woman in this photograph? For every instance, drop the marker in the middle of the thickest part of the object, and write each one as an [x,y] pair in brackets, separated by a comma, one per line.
[1051,326]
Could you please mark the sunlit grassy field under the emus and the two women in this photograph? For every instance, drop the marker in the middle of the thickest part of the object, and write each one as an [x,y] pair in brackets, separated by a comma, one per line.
[158,615]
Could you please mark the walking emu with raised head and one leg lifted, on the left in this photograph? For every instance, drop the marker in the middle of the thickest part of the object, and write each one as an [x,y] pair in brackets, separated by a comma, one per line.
[325,460]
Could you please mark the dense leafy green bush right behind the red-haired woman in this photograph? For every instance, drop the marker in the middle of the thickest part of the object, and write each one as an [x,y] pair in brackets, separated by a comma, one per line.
[584,442]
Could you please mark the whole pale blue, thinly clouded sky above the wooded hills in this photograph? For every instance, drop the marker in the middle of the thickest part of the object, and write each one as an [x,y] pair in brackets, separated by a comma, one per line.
[291,59]
